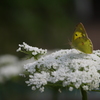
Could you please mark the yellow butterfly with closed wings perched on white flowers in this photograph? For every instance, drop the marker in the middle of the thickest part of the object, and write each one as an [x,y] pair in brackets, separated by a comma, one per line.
[81,41]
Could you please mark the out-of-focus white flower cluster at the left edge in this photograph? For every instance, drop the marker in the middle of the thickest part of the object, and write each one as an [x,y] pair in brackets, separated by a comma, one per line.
[11,66]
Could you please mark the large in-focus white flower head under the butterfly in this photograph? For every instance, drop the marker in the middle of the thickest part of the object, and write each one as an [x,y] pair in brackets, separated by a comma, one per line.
[70,67]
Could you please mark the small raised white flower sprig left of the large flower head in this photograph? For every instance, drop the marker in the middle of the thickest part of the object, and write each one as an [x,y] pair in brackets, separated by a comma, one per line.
[33,50]
